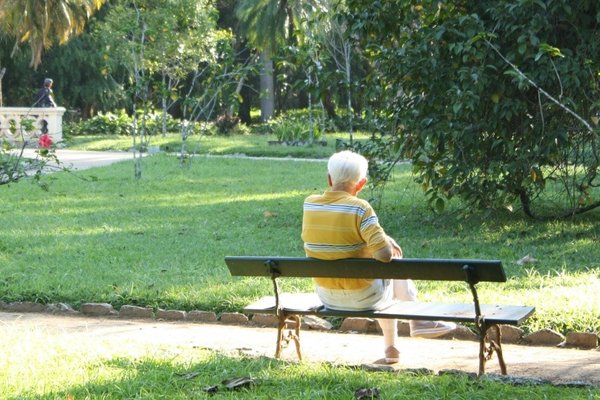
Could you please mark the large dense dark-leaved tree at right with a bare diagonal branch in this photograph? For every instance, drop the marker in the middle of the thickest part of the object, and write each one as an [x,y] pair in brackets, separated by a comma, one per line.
[494,102]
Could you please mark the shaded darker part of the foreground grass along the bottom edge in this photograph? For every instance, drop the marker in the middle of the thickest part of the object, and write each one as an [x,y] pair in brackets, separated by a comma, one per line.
[266,378]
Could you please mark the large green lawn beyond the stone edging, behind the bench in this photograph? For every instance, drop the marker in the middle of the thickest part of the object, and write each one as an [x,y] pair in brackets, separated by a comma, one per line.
[160,241]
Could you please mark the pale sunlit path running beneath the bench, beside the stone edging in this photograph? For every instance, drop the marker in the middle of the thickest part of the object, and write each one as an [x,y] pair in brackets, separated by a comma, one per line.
[109,335]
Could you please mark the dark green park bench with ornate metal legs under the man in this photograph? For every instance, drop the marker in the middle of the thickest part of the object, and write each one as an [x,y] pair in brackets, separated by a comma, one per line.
[290,307]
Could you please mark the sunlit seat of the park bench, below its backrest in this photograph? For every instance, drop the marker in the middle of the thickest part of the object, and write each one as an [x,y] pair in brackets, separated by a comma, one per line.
[308,303]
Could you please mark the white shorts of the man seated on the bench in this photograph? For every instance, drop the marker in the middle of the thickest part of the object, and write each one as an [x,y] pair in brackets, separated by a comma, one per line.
[377,296]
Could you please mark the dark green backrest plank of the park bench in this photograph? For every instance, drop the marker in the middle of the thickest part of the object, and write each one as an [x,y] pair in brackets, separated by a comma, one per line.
[407,268]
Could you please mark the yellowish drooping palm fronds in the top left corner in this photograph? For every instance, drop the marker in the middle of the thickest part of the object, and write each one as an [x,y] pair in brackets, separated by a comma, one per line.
[42,23]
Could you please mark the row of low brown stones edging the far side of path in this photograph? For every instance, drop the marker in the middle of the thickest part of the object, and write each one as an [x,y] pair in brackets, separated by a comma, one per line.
[510,334]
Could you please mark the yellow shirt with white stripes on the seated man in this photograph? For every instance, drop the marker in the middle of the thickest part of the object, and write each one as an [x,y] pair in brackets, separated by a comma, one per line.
[338,225]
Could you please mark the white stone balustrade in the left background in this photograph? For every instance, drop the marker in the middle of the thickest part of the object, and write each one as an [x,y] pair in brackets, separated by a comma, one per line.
[26,124]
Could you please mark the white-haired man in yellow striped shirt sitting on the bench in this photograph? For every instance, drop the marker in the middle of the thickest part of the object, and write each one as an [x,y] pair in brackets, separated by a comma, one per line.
[337,225]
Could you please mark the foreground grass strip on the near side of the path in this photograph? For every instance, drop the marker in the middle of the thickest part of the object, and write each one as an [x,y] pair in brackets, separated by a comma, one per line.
[40,369]
